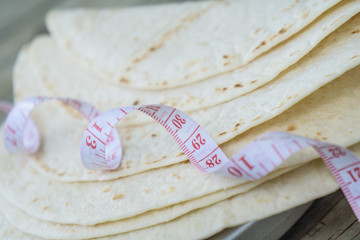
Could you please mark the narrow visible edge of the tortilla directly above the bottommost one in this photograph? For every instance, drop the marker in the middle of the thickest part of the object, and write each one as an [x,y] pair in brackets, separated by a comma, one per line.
[65,231]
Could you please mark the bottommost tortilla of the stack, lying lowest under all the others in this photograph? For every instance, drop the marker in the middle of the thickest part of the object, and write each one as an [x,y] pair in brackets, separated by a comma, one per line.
[282,193]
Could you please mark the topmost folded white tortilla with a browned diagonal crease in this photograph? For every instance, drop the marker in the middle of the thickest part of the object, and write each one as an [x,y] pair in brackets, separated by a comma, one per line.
[80,33]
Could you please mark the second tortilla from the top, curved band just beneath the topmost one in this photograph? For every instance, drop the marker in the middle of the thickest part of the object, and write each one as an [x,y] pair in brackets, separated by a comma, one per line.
[51,66]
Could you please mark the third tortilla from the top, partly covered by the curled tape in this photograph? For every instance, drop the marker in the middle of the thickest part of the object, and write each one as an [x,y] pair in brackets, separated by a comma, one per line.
[223,122]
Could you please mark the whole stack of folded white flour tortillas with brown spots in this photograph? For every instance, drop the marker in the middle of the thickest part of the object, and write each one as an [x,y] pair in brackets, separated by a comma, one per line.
[239,68]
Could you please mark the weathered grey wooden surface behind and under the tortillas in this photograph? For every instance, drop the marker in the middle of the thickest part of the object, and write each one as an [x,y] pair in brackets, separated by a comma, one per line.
[20,21]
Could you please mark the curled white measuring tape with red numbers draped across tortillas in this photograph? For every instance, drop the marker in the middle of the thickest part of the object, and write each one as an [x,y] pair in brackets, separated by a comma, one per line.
[101,146]
